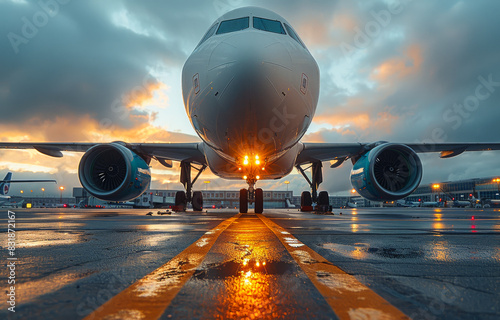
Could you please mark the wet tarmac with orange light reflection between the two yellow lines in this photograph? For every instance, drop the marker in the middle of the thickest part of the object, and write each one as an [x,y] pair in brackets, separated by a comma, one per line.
[248,274]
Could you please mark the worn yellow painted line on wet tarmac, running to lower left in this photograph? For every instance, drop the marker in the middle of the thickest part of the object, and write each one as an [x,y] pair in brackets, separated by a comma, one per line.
[148,297]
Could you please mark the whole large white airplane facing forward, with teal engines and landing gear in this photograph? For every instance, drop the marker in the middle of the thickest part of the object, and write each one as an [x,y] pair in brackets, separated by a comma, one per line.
[250,90]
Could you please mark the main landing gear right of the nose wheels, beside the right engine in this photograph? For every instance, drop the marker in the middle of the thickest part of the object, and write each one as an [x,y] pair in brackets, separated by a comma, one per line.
[308,199]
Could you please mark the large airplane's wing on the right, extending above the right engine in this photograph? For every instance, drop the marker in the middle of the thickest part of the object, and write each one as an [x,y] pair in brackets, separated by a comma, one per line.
[339,152]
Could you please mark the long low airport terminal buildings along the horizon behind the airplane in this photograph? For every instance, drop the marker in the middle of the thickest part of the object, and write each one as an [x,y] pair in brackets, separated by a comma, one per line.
[482,190]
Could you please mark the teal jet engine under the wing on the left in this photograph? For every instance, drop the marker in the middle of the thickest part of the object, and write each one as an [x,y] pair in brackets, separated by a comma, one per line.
[113,172]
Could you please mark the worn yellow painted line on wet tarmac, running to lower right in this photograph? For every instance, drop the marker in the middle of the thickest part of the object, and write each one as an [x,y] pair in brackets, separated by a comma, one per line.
[349,298]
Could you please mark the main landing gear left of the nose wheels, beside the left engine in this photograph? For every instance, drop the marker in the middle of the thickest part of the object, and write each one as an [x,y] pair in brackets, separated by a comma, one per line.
[183,198]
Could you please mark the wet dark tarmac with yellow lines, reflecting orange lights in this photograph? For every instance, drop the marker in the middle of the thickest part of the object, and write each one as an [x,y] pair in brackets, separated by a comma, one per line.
[385,263]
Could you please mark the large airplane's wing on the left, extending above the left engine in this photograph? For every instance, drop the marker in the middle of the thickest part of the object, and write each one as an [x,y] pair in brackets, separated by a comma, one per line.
[161,151]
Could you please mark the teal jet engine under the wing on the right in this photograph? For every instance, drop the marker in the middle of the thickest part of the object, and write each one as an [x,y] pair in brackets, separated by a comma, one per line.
[387,172]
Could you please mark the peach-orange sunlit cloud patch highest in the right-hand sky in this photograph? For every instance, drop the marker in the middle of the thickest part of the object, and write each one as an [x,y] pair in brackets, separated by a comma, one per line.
[399,67]
